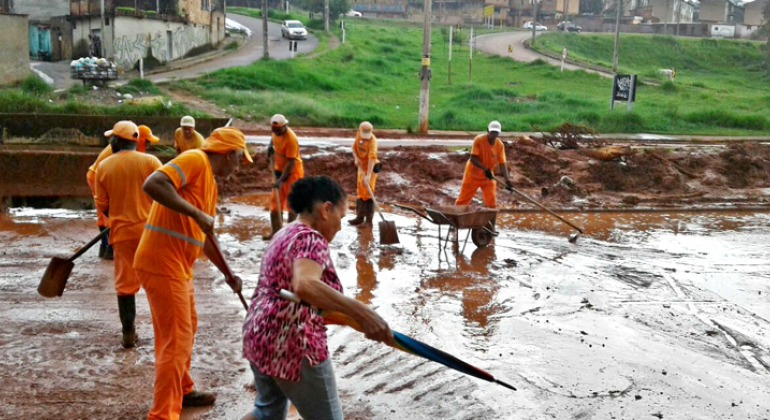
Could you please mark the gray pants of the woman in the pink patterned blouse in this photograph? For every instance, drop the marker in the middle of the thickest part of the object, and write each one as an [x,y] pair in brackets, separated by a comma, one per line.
[315,394]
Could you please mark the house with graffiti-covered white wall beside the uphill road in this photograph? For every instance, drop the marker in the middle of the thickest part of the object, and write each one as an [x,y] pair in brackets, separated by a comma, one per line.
[132,29]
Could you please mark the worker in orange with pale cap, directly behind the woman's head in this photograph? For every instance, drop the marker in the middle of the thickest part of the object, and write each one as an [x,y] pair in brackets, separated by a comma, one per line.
[284,147]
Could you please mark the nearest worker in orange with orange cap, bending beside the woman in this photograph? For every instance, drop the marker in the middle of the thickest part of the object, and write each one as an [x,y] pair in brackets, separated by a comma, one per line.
[180,225]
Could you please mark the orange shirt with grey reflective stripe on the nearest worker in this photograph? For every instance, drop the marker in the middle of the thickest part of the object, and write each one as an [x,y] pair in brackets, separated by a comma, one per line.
[171,241]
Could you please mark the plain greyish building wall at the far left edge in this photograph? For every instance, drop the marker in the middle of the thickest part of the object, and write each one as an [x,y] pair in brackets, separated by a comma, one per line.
[14,56]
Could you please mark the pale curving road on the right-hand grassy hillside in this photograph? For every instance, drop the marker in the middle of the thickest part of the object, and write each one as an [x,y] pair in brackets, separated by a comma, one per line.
[498,44]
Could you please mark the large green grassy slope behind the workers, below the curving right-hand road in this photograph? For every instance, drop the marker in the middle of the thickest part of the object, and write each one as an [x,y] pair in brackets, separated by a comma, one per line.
[374,77]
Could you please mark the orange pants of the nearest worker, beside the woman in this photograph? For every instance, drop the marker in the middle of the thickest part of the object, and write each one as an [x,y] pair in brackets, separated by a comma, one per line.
[174,321]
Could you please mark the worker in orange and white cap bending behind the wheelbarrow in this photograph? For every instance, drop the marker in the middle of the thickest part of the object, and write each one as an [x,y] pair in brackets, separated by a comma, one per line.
[488,152]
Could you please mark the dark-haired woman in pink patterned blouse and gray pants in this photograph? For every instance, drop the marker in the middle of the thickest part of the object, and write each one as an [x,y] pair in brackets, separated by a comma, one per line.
[285,342]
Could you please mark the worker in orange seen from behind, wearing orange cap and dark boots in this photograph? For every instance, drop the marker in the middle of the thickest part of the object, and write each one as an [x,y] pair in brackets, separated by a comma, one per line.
[119,195]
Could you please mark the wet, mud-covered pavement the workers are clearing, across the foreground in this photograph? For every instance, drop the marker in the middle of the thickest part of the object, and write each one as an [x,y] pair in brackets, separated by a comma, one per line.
[655,315]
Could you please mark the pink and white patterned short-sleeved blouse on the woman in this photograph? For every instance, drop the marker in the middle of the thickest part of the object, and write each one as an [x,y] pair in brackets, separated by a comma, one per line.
[278,334]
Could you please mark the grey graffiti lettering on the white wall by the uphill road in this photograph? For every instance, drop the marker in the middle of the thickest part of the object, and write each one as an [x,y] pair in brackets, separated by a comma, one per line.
[128,49]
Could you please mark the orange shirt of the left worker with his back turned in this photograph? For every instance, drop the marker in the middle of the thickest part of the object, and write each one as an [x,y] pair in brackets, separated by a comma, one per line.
[119,180]
